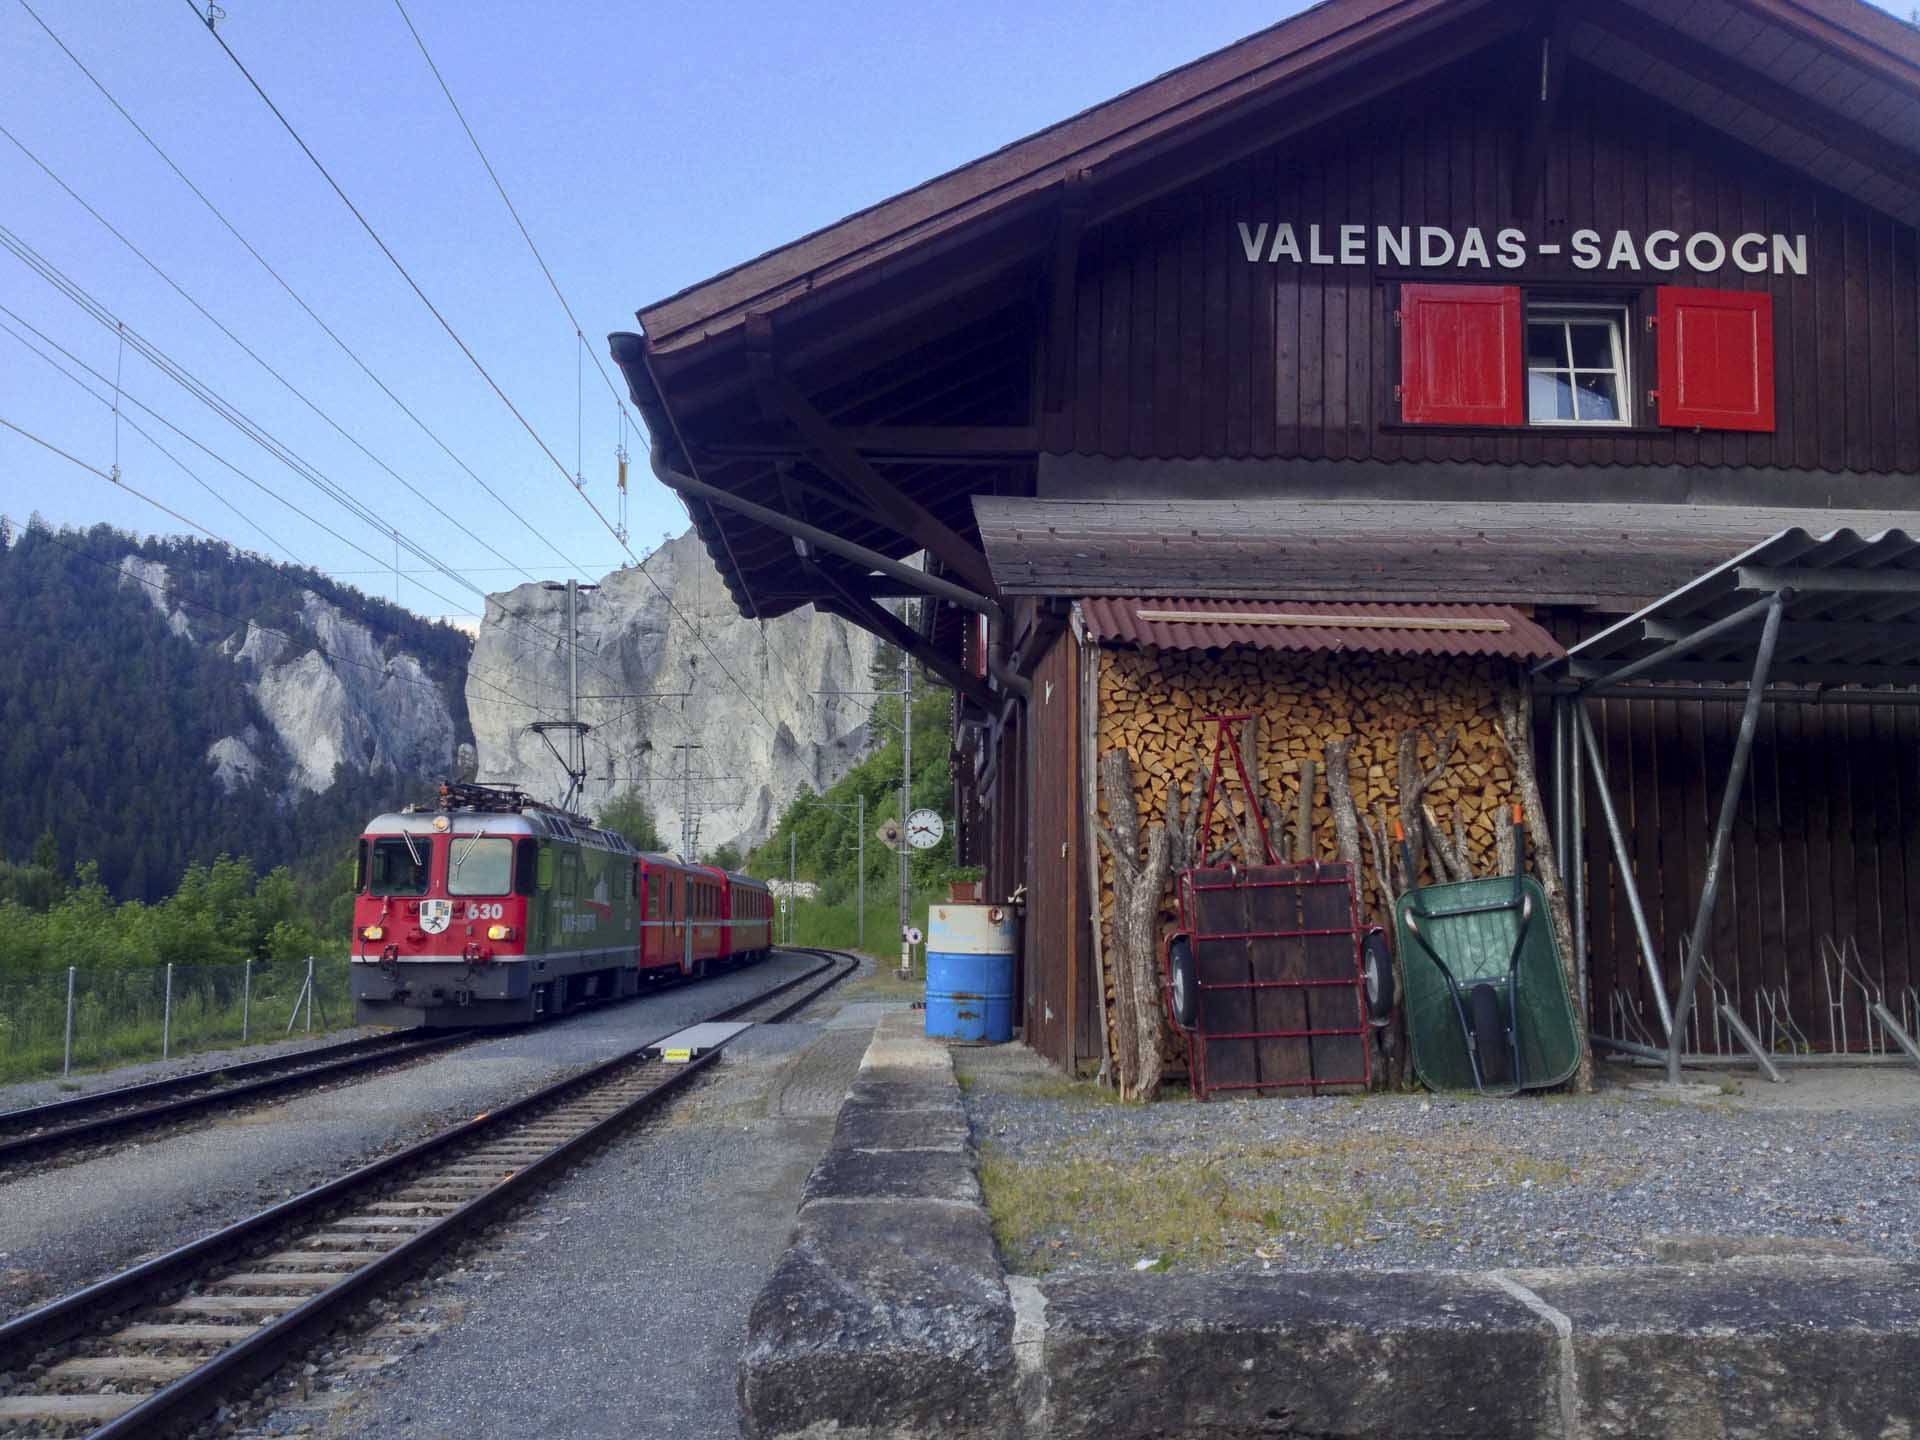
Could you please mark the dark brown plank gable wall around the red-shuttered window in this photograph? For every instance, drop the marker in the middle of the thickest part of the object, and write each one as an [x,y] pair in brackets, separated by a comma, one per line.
[1186,348]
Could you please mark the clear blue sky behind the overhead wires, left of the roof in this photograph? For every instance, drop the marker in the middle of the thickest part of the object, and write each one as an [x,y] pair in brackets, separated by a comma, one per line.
[646,147]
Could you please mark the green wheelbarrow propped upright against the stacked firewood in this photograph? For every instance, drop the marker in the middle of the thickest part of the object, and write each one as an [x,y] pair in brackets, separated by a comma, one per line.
[1487,999]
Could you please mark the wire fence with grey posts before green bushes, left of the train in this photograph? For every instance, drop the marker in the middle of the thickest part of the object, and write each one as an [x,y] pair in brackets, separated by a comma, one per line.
[66,1020]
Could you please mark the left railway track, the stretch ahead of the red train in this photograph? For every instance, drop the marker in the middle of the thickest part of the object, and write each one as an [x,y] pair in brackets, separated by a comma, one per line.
[45,1130]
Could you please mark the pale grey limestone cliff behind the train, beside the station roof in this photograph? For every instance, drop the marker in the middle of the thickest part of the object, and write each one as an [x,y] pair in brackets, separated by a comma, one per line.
[650,684]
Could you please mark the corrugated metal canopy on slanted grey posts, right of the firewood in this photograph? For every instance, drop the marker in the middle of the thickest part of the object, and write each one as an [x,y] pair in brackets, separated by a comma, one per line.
[1840,610]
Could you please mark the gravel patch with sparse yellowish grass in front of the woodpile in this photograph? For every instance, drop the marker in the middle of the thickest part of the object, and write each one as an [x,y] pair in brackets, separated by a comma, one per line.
[1629,1176]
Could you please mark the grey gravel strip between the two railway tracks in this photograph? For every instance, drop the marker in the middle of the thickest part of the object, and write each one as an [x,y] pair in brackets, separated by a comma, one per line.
[68,1226]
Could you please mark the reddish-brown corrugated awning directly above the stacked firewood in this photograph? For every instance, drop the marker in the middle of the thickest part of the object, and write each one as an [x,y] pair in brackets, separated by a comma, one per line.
[1199,625]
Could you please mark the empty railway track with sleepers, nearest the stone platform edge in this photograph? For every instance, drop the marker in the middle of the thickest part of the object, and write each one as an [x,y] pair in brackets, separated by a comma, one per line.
[158,1349]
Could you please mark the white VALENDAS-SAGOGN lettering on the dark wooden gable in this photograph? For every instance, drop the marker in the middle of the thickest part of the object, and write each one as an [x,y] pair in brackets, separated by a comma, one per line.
[1433,247]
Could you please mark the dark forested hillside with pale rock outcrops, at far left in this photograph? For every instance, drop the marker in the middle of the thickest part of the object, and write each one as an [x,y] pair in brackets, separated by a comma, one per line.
[126,663]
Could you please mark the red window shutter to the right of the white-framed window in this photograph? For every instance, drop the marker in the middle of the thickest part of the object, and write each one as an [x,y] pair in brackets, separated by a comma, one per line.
[1717,360]
